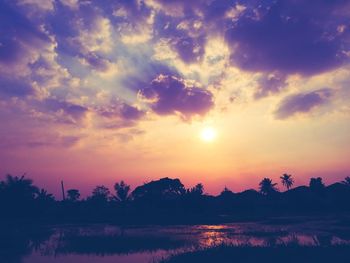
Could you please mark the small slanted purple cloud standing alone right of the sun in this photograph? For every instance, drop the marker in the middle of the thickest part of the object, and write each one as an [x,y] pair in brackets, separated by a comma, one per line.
[302,103]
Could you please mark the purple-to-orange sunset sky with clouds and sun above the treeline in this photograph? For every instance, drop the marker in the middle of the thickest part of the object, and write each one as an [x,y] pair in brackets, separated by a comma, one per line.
[221,92]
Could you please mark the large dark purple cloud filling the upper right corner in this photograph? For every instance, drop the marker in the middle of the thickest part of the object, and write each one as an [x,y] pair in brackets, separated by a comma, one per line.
[291,36]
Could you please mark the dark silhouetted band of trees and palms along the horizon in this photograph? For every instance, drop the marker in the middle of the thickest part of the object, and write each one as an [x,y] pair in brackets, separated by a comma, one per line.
[168,201]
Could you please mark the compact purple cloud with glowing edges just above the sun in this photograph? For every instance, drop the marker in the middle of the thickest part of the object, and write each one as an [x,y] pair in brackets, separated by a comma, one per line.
[169,95]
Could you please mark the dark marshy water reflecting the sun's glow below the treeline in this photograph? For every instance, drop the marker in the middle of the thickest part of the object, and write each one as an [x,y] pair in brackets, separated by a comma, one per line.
[108,243]
